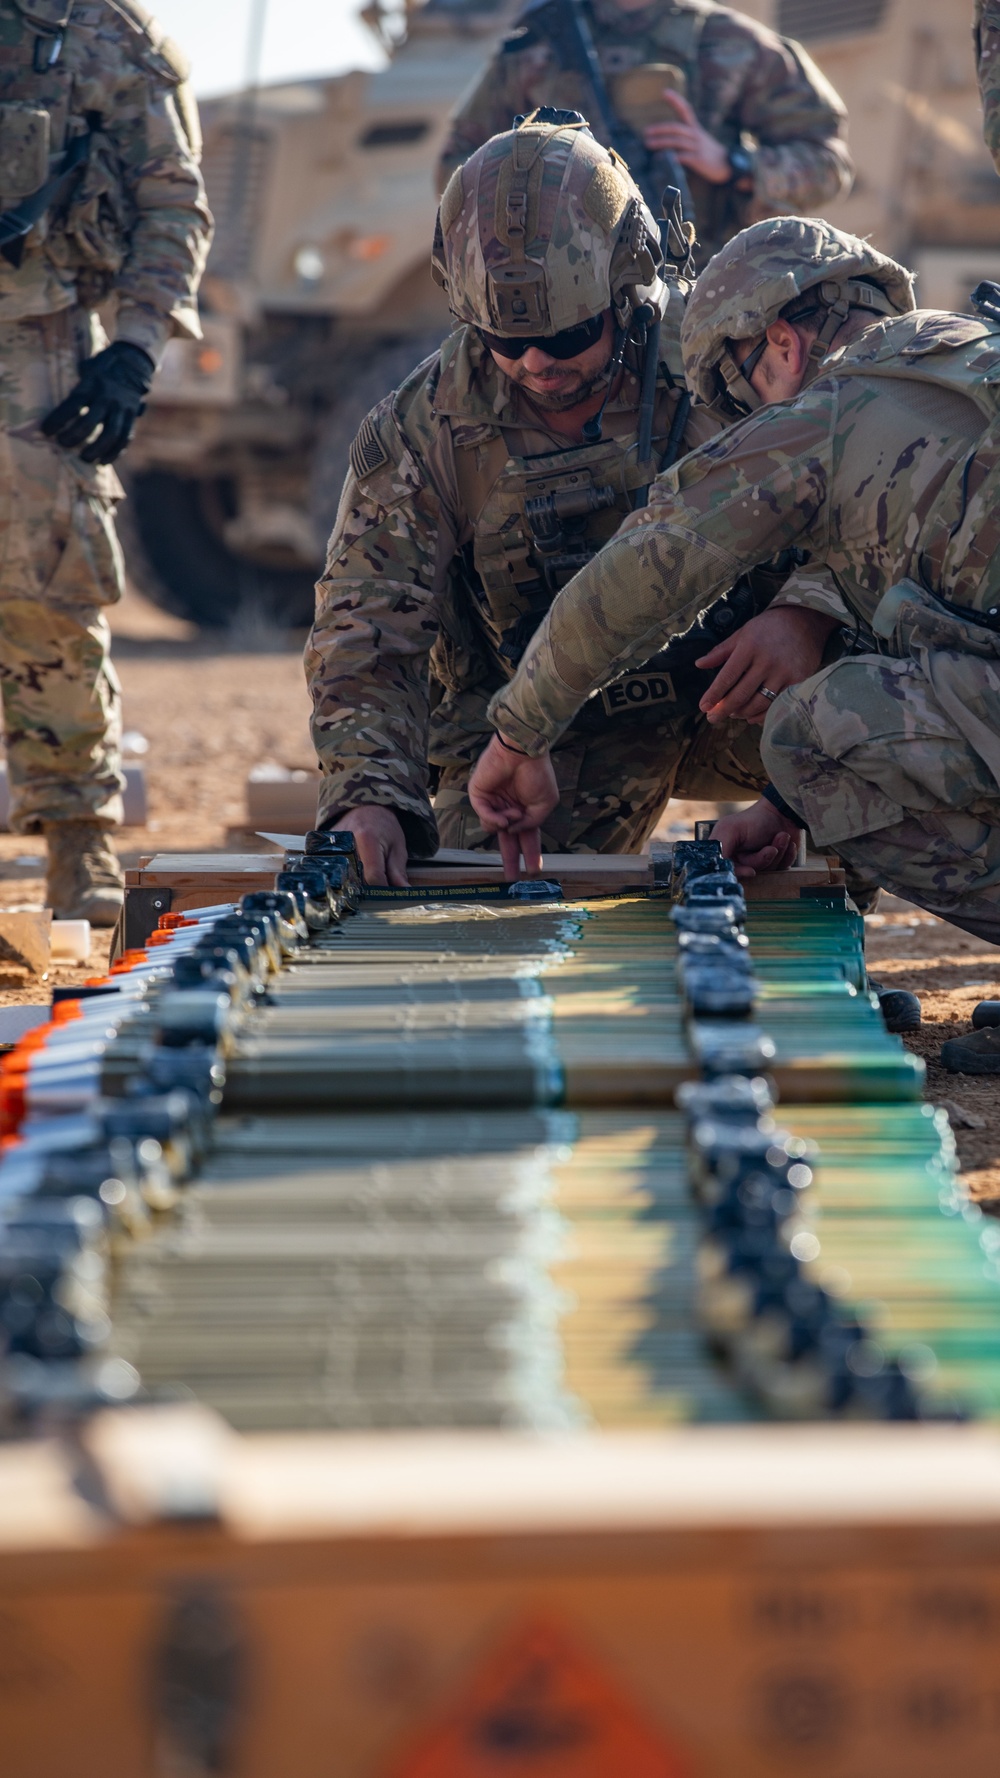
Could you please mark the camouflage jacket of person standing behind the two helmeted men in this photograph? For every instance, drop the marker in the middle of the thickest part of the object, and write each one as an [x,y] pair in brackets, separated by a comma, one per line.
[748,86]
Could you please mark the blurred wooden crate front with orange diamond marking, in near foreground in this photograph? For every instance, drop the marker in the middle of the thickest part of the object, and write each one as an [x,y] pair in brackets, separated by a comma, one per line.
[718,1603]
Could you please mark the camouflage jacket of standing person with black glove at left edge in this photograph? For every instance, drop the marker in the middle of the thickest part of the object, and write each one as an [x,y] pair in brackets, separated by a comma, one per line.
[133,220]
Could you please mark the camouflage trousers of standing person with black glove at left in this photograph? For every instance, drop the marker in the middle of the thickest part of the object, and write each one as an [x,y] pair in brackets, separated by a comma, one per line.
[60,566]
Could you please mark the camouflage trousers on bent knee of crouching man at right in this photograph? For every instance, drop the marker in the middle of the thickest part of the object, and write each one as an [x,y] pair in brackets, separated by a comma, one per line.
[878,762]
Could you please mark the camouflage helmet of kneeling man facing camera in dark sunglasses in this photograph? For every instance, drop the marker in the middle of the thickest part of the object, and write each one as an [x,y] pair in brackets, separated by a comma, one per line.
[544,230]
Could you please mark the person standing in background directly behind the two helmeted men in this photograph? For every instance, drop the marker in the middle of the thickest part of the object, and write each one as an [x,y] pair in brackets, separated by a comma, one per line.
[707,99]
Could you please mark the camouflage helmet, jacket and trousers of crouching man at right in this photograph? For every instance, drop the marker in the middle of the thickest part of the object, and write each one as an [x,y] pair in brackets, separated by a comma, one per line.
[889,757]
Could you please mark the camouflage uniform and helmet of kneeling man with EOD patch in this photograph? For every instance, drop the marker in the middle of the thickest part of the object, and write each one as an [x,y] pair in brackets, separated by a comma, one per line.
[435,582]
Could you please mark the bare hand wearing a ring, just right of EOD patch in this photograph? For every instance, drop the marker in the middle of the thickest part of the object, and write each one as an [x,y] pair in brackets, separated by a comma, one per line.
[780,648]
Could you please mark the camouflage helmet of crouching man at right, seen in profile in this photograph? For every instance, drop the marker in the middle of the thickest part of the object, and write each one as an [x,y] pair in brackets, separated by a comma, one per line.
[743,291]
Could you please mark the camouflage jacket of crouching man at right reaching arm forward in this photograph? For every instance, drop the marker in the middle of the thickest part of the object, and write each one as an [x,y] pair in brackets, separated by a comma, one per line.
[853,485]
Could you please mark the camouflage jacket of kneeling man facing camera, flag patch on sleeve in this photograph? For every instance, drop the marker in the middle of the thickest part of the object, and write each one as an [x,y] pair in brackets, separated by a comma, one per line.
[430,572]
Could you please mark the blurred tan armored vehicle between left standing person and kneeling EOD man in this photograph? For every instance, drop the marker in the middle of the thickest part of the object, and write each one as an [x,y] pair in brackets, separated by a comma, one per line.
[316,303]
